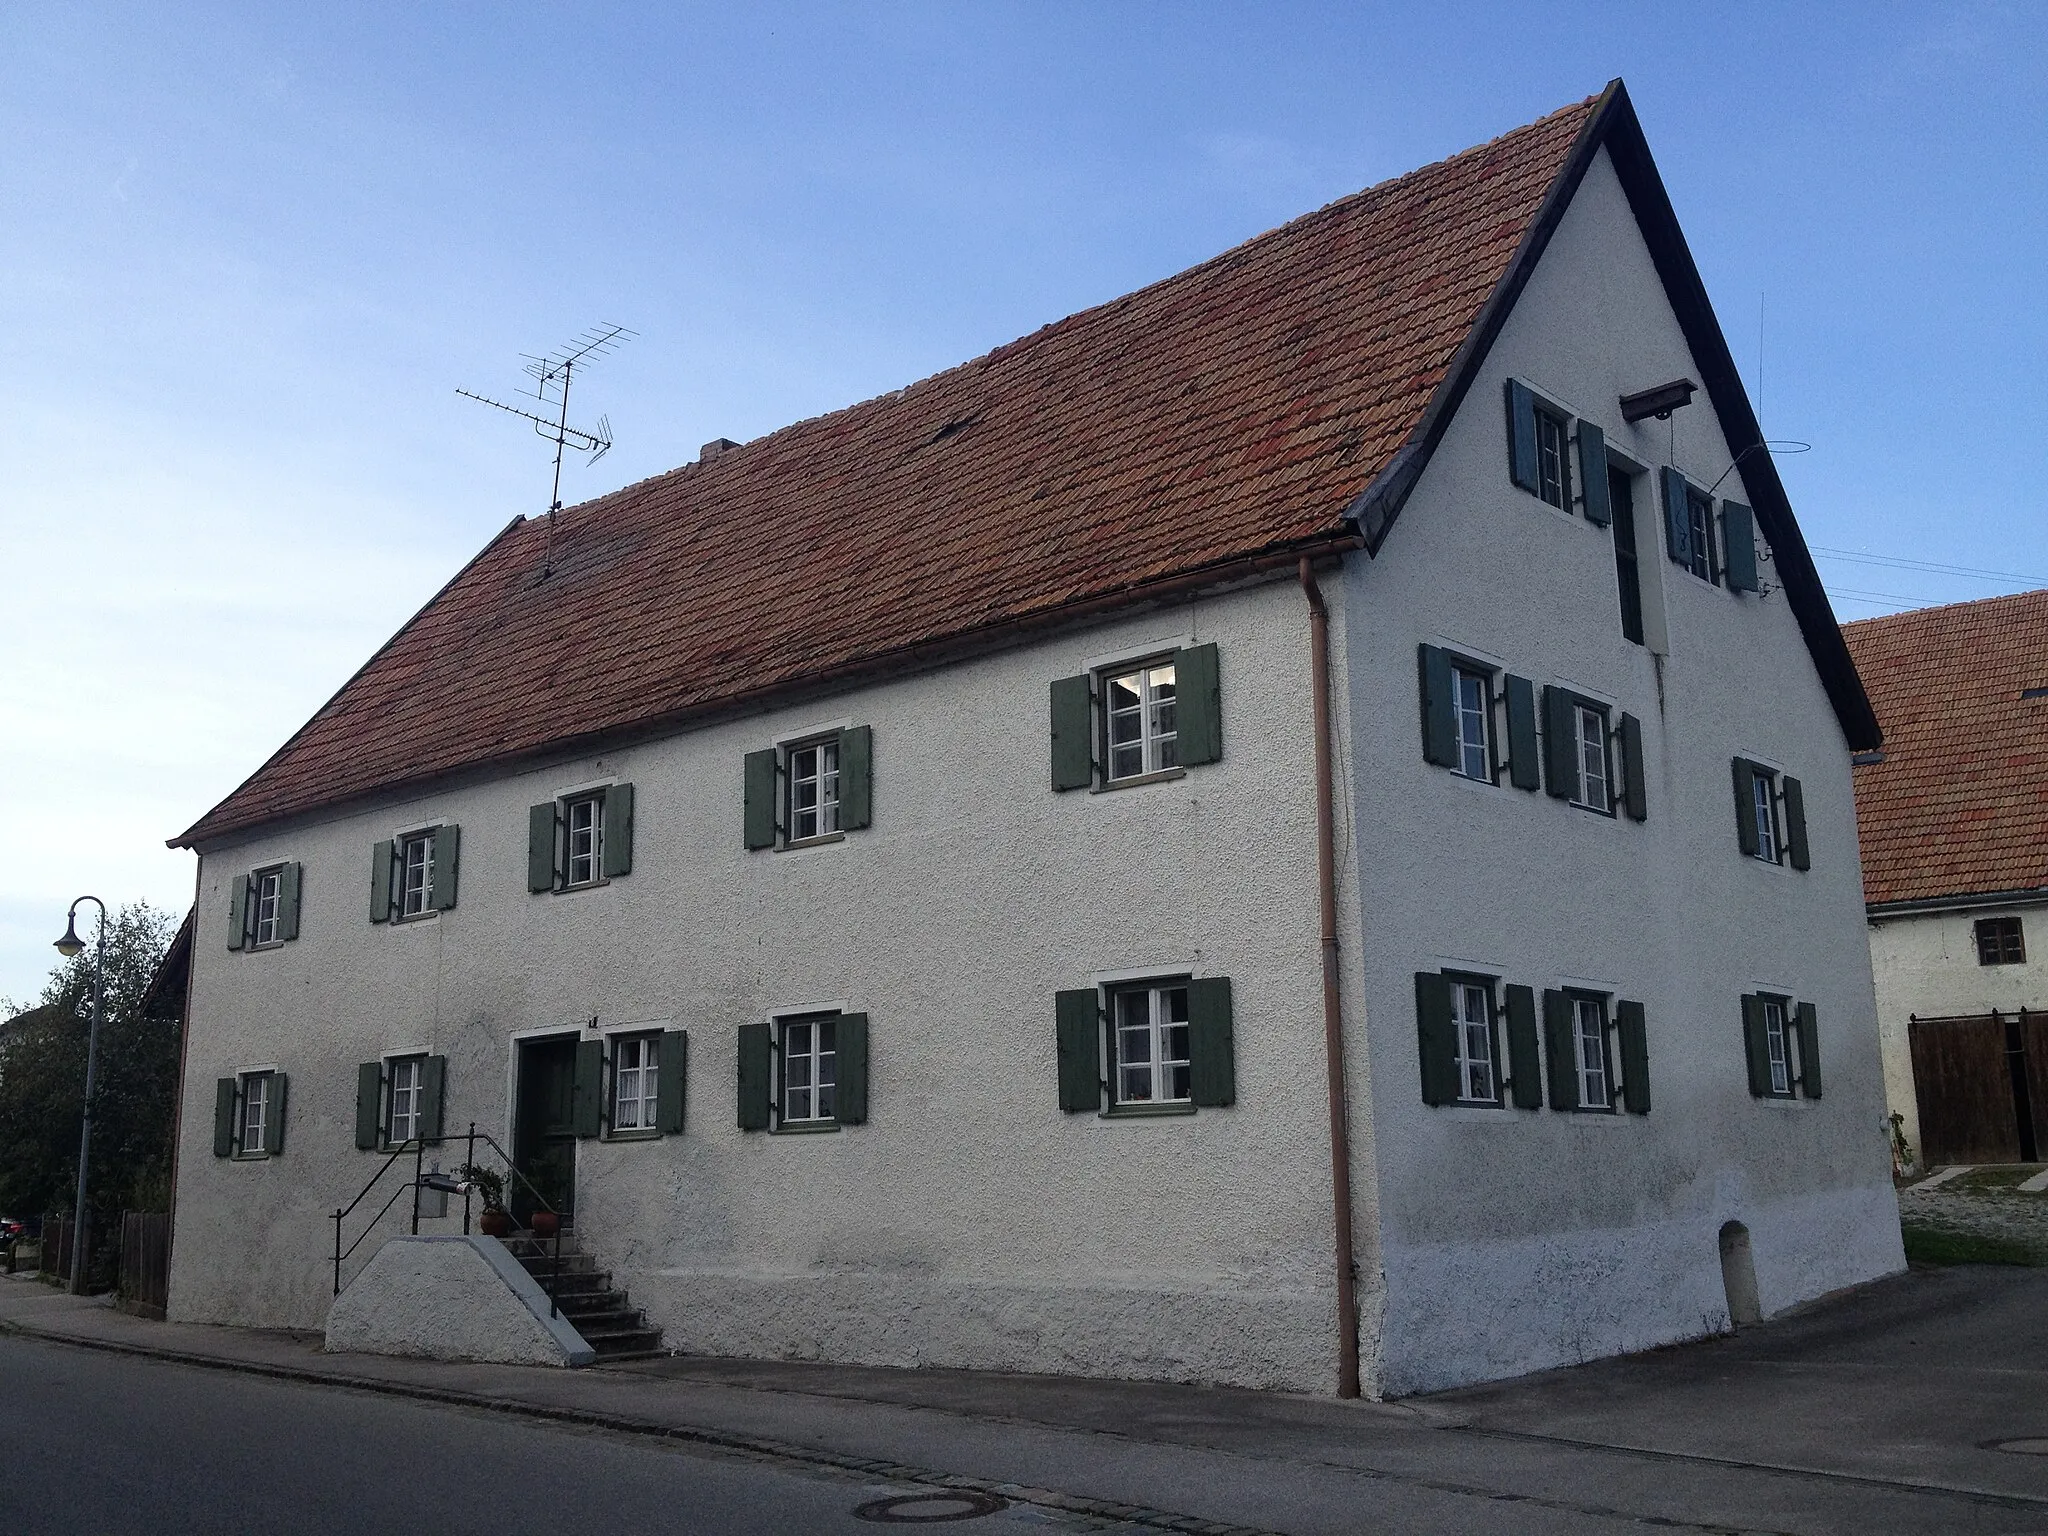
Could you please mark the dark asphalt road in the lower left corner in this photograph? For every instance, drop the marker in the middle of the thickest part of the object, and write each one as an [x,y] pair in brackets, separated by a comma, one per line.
[114,1445]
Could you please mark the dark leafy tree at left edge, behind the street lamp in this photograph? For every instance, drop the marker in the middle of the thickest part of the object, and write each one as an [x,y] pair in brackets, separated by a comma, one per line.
[44,1084]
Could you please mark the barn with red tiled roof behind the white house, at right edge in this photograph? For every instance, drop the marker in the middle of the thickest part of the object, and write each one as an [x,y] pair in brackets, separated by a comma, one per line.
[1955,826]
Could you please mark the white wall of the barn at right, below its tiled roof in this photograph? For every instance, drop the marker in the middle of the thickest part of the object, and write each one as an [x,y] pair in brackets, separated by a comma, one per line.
[1926,966]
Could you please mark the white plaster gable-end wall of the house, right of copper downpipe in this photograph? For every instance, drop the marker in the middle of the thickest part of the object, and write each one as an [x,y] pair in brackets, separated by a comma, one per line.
[1519,1240]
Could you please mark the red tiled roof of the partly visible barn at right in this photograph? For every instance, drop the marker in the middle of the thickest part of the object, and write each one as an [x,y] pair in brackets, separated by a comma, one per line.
[1959,806]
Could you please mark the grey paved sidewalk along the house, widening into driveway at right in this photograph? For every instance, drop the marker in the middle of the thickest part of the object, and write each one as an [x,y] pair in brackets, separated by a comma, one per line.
[1869,1412]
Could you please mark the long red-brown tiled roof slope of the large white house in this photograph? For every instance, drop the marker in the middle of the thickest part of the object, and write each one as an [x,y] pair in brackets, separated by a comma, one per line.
[1222,415]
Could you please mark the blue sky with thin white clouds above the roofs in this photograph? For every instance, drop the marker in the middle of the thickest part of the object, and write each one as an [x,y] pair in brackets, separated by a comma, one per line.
[247,255]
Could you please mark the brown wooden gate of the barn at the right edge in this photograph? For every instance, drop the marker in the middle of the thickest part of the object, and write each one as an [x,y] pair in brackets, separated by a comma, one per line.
[1983,1086]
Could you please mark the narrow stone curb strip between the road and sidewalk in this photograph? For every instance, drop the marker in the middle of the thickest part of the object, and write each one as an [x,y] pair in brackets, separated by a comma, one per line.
[755,1447]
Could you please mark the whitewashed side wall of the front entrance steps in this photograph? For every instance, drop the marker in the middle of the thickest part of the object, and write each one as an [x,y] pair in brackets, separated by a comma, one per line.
[452,1299]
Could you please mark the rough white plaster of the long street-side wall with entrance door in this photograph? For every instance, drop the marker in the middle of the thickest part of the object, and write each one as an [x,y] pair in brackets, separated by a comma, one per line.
[970,1224]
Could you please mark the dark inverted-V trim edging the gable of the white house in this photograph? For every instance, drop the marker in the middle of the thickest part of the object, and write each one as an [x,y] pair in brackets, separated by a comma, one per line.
[1615,126]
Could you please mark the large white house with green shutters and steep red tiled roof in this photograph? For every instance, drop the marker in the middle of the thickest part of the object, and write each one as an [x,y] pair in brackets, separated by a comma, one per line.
[943,775]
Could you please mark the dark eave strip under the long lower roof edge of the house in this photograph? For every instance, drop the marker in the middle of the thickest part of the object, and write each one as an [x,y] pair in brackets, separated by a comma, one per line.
[1228,577]
